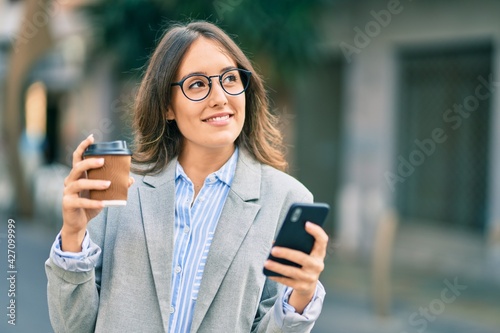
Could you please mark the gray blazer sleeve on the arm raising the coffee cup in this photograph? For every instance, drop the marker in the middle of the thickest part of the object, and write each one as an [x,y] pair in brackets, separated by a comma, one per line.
[73,297]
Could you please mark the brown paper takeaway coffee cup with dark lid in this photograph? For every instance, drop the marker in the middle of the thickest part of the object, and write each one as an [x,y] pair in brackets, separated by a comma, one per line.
[116,168]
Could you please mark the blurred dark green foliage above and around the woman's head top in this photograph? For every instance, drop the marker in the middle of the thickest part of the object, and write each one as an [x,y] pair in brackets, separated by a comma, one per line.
[283,32]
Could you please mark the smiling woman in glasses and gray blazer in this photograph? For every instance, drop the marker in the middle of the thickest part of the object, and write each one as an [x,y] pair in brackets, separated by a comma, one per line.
[205,203]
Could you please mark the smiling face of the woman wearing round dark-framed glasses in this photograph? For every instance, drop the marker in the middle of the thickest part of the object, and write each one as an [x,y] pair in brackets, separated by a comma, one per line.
[216,121]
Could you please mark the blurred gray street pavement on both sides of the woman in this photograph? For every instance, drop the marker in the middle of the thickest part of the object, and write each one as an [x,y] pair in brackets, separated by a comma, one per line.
[347,308]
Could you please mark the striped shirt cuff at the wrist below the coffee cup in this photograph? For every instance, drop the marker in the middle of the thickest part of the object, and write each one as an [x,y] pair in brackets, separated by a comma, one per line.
[83,261]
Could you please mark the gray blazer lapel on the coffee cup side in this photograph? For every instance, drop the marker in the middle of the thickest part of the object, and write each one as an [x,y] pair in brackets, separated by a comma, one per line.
[157,203]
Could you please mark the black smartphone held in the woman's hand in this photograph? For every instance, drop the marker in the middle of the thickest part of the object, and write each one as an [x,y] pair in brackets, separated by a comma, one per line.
[293,234]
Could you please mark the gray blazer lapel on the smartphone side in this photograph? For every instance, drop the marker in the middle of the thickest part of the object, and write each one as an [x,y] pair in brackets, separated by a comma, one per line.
[237,216]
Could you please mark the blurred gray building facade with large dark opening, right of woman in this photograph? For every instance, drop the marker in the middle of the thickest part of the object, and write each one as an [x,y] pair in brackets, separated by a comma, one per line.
[417,85]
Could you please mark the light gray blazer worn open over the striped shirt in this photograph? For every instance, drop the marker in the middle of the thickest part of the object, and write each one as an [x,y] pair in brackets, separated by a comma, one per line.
[129,290]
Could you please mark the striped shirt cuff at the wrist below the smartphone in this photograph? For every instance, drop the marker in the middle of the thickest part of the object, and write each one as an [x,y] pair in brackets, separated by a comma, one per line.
[288,318]
